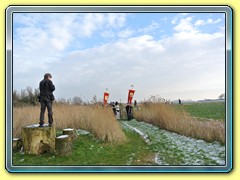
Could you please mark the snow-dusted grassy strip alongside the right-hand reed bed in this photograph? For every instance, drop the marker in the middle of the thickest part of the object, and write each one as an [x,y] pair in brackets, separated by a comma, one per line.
[175,149]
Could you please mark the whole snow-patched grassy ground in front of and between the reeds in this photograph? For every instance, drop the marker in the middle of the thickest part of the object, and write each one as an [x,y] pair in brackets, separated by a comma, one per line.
[146,145]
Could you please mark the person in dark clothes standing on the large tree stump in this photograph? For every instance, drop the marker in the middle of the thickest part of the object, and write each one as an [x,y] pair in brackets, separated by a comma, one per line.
[46,97]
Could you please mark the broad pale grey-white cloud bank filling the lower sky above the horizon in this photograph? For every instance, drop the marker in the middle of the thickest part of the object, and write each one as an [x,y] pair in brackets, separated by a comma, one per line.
[155,67]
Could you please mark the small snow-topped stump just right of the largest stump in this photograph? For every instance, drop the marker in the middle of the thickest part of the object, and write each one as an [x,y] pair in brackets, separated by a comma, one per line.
[63,145]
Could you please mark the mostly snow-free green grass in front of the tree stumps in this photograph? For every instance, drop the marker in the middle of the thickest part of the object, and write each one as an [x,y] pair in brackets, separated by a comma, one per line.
[88,150]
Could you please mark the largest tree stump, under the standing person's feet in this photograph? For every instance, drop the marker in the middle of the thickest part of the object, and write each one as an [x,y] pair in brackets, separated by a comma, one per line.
[38,140]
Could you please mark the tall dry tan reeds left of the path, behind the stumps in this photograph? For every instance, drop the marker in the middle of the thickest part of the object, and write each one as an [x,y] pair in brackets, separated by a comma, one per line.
[96,119]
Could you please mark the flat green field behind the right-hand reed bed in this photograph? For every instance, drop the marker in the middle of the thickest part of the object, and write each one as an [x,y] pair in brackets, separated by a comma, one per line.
[214,111]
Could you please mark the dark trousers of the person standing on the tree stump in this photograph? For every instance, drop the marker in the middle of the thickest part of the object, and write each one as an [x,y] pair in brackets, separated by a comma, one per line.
[46,104]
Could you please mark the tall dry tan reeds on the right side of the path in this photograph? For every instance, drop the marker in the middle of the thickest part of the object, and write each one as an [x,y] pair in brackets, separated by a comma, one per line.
[169,118]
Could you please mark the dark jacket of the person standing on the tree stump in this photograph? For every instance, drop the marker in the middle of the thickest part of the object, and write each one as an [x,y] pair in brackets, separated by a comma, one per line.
[46,88]
